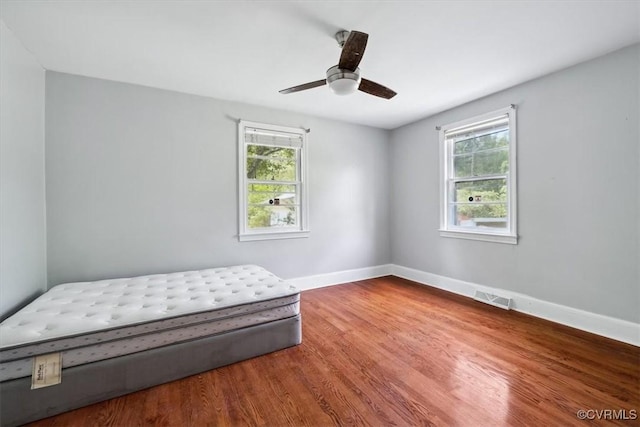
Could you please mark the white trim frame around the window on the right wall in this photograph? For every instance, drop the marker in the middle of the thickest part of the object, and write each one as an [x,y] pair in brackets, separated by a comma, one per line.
[511,236]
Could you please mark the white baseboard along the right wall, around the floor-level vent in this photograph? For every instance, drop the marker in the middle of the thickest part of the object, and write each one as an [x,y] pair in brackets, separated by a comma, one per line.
[609,327]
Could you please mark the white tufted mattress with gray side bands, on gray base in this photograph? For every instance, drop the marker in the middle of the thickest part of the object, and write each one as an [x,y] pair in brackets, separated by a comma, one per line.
[92,321]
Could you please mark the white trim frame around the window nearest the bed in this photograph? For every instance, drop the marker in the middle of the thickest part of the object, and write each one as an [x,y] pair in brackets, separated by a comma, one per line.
[245,233]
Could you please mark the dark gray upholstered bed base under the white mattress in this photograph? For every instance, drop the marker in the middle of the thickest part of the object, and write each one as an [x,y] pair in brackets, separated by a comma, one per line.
[95,382]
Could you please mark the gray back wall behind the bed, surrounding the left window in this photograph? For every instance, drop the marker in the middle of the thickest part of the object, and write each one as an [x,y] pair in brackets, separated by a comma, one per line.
[141,180]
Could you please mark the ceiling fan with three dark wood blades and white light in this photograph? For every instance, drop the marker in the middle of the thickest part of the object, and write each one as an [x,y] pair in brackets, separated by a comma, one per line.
[344,78]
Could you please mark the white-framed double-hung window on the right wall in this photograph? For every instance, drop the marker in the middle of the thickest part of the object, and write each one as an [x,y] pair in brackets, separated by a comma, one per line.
[478,188]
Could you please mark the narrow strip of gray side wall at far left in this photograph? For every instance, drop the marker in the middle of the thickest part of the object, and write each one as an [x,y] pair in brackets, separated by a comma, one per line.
[22,208]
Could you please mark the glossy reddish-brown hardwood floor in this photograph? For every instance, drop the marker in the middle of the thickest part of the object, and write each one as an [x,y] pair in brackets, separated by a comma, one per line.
[390,352]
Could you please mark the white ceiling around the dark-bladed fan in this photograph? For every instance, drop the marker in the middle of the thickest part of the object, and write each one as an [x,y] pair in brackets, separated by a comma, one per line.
[435,54]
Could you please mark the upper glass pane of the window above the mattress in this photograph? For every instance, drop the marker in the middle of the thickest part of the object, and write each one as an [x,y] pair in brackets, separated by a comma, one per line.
[271,163]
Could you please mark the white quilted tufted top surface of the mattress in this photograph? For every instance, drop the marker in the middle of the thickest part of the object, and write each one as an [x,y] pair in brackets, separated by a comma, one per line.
[77,308]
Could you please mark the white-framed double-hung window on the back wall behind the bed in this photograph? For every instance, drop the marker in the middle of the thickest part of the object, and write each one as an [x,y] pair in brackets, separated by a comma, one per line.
[272,182]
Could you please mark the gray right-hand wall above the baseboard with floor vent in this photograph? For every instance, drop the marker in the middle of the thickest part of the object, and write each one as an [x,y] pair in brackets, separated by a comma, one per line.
[578,179]
